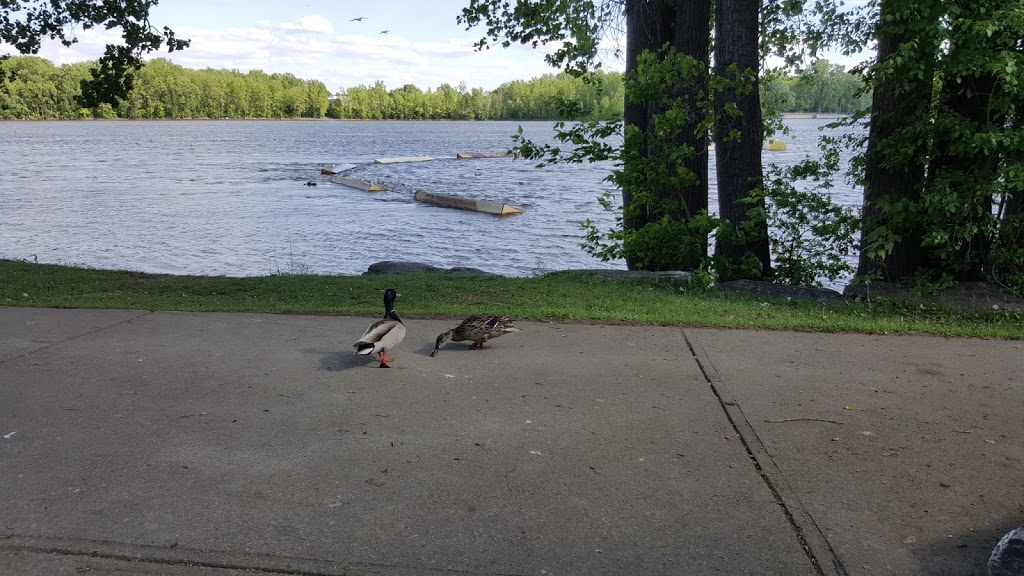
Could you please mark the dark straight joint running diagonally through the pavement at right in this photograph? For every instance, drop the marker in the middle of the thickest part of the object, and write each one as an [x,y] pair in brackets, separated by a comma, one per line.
[765,477]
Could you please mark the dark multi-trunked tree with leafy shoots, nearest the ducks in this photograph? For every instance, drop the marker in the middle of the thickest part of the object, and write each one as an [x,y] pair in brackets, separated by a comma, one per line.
[668,117]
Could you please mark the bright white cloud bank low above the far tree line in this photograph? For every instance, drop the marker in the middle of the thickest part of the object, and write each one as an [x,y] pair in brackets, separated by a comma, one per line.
[310,50]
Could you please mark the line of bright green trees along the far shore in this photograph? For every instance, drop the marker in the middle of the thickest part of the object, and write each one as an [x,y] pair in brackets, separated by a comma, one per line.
[33,89]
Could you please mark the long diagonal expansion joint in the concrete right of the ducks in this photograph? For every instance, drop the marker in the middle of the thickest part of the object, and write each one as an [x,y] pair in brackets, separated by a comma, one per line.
[748,436]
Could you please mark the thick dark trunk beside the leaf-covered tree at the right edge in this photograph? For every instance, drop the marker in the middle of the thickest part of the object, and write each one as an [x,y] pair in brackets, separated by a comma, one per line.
[895,166]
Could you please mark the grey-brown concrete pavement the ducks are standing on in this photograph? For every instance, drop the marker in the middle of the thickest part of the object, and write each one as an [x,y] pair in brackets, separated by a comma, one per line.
[220,444]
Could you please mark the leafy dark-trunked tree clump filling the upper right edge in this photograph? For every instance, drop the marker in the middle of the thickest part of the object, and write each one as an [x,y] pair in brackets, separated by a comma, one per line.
[944,176]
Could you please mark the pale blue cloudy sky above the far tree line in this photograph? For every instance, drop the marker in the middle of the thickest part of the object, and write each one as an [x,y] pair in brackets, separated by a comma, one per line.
[315,39]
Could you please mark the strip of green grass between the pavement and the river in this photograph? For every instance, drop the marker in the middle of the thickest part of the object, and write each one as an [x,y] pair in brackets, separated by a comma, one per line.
[575,298]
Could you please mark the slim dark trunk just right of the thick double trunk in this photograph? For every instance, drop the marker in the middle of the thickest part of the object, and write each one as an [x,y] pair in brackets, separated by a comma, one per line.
[739,138]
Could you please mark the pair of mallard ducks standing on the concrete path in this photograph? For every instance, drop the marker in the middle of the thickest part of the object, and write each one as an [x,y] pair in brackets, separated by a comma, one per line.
[385,335]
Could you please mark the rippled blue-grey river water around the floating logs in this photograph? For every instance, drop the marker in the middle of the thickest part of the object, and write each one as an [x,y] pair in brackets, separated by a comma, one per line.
[230,197]
